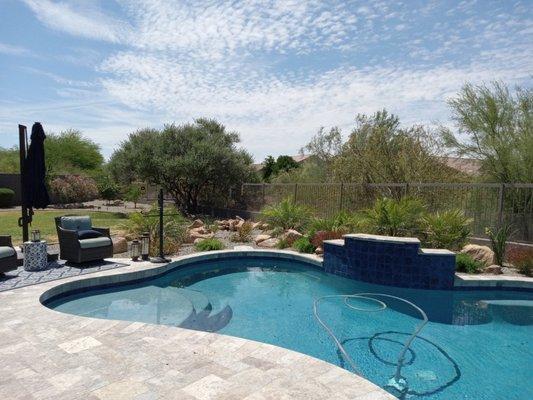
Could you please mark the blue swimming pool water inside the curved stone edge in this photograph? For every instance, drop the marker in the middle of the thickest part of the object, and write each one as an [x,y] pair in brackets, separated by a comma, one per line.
[477,344]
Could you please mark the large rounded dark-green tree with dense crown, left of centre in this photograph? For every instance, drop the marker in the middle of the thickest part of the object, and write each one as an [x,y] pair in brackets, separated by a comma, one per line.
[192,162]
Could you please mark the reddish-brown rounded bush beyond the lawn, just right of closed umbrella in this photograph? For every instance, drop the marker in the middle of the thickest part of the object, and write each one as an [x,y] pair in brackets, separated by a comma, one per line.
[73,189]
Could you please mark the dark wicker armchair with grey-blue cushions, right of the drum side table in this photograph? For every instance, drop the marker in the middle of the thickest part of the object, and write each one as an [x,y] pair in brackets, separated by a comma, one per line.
[76,250]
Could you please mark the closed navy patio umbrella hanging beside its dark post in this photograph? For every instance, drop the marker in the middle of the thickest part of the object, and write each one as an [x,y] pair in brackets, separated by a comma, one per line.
[35,194]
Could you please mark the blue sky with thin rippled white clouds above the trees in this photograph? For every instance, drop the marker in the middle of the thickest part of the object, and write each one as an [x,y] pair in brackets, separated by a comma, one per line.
[273,70]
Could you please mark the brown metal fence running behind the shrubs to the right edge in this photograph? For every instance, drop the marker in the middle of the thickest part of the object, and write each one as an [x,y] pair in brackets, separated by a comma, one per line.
[488,204]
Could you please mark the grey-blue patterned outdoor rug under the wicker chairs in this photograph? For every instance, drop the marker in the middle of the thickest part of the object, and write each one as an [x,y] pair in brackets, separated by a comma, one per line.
[56,270]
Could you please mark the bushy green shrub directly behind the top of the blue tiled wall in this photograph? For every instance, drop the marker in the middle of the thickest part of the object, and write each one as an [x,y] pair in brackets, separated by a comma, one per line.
[392,217]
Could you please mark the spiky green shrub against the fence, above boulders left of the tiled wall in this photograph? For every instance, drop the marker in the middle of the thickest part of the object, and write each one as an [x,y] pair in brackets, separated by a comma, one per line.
[286,215]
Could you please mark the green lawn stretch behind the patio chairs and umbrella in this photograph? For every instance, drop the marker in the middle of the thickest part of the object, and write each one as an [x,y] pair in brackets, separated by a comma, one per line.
[44,221]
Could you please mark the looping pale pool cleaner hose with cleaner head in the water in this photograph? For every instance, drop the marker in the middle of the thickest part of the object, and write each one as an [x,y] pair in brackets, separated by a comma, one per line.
[397,381]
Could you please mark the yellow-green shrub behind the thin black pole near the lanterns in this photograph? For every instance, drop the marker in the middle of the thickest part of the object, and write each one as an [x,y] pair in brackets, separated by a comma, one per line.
[174,228]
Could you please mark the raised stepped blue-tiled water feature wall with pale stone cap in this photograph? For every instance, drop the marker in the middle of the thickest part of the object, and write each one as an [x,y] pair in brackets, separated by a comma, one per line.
[392,261]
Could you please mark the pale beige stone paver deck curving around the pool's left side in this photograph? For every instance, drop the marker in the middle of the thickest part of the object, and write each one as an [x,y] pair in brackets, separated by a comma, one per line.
[50,355]
